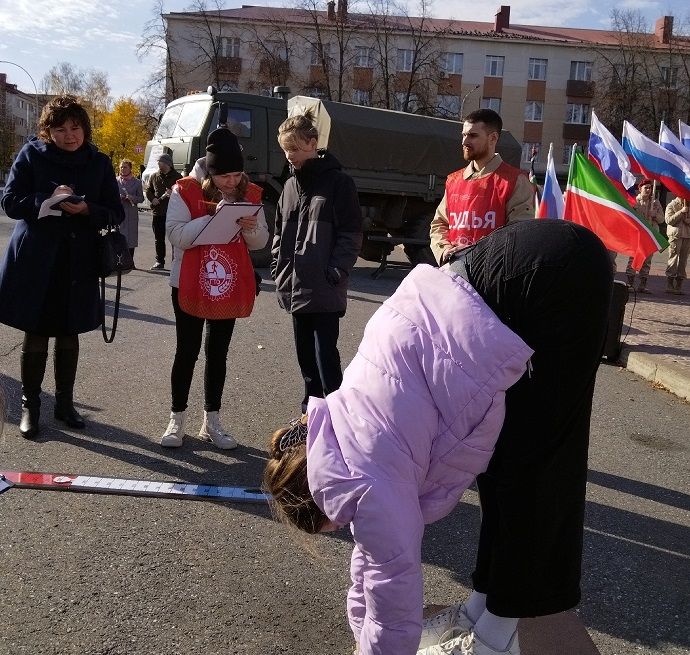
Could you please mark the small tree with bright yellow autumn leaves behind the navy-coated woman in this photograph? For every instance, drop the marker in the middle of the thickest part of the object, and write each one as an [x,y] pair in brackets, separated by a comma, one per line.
[123,133]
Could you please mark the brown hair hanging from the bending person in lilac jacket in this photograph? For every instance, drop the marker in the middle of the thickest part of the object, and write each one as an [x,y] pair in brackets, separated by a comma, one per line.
[285,479]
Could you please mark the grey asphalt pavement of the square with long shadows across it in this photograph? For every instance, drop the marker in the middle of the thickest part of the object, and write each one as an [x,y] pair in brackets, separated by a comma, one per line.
[116,575]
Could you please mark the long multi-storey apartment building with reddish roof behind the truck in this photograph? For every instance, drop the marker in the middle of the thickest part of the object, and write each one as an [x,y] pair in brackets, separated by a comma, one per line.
[542,80]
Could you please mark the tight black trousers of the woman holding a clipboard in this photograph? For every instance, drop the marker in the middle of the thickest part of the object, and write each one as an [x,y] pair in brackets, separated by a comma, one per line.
[189,330]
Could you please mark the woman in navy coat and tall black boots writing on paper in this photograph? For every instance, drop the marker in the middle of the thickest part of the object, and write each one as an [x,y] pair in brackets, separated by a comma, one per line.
[49,274]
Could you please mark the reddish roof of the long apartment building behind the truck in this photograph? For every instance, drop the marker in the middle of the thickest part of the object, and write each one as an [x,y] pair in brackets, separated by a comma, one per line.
[476,29]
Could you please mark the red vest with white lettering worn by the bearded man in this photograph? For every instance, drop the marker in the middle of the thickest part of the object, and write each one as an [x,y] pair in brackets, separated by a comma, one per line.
[475,208]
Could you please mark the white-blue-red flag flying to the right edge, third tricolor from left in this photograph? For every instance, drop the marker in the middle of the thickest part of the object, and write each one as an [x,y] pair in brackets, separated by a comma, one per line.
[657,163]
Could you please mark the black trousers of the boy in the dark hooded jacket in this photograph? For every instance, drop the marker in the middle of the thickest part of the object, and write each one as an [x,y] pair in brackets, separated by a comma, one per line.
[316,343]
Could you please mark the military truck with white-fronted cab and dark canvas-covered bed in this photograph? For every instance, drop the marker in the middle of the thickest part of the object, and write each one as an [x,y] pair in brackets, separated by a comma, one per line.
[399,161]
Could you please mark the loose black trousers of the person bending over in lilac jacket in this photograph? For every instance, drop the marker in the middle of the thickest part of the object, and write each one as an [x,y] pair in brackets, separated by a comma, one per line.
[550,281]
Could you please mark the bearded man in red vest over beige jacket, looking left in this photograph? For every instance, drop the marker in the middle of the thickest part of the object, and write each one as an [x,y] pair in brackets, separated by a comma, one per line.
[485,195]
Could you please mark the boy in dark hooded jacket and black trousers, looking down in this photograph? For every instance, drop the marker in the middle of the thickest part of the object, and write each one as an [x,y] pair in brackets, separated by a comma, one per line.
[318,236]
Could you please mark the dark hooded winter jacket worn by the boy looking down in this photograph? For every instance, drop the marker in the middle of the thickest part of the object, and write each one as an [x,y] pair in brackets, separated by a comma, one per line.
[318,236]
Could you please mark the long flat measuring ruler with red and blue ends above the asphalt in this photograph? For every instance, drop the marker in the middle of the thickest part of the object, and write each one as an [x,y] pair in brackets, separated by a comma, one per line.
[121,486]
